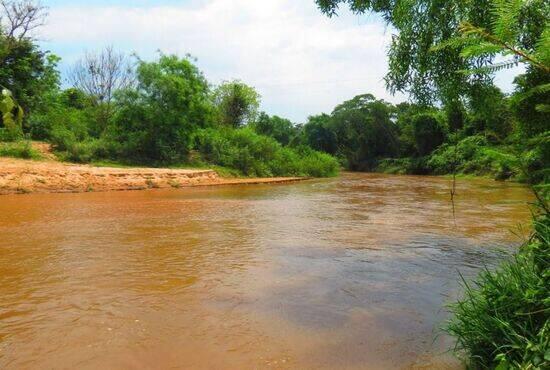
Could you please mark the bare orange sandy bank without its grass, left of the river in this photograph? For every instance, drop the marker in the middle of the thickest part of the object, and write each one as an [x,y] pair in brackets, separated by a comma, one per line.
[20,176]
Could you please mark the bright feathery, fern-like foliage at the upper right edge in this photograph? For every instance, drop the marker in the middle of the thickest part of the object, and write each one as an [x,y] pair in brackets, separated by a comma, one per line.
[507,37]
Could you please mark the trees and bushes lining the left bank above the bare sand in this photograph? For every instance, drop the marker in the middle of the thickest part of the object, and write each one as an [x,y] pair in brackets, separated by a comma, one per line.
[126,110]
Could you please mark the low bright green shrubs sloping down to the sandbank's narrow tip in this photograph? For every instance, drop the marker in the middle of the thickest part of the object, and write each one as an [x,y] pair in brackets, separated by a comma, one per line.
[257,155]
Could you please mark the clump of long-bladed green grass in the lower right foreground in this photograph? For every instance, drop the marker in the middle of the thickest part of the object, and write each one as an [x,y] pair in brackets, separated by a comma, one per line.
[504,319]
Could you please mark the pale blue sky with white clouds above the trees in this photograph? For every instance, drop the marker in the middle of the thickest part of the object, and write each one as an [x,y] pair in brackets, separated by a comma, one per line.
[301,62]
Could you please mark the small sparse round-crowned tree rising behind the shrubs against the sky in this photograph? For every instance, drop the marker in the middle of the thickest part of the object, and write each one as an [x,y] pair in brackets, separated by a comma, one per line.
[237,103]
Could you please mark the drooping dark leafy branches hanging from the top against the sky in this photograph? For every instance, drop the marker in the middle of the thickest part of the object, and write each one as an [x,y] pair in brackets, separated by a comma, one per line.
[418,65]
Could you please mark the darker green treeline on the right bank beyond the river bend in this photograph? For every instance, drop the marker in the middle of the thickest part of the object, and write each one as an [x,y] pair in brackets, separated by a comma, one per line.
[499,136]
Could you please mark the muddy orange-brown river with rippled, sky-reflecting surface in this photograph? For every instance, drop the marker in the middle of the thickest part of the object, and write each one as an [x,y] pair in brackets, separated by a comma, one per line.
[345,273]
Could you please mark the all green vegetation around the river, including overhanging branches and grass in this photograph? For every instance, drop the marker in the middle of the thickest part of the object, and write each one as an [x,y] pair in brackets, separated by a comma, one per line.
[165,113]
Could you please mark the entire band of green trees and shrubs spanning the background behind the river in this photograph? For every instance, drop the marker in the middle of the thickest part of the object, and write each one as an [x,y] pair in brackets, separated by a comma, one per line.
[165,112]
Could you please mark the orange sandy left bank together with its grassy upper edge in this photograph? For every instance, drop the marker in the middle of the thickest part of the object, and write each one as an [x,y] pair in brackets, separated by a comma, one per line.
[31,167]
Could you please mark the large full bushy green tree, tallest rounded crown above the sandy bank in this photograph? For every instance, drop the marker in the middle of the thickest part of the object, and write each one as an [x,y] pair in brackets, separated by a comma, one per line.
[154,121]
